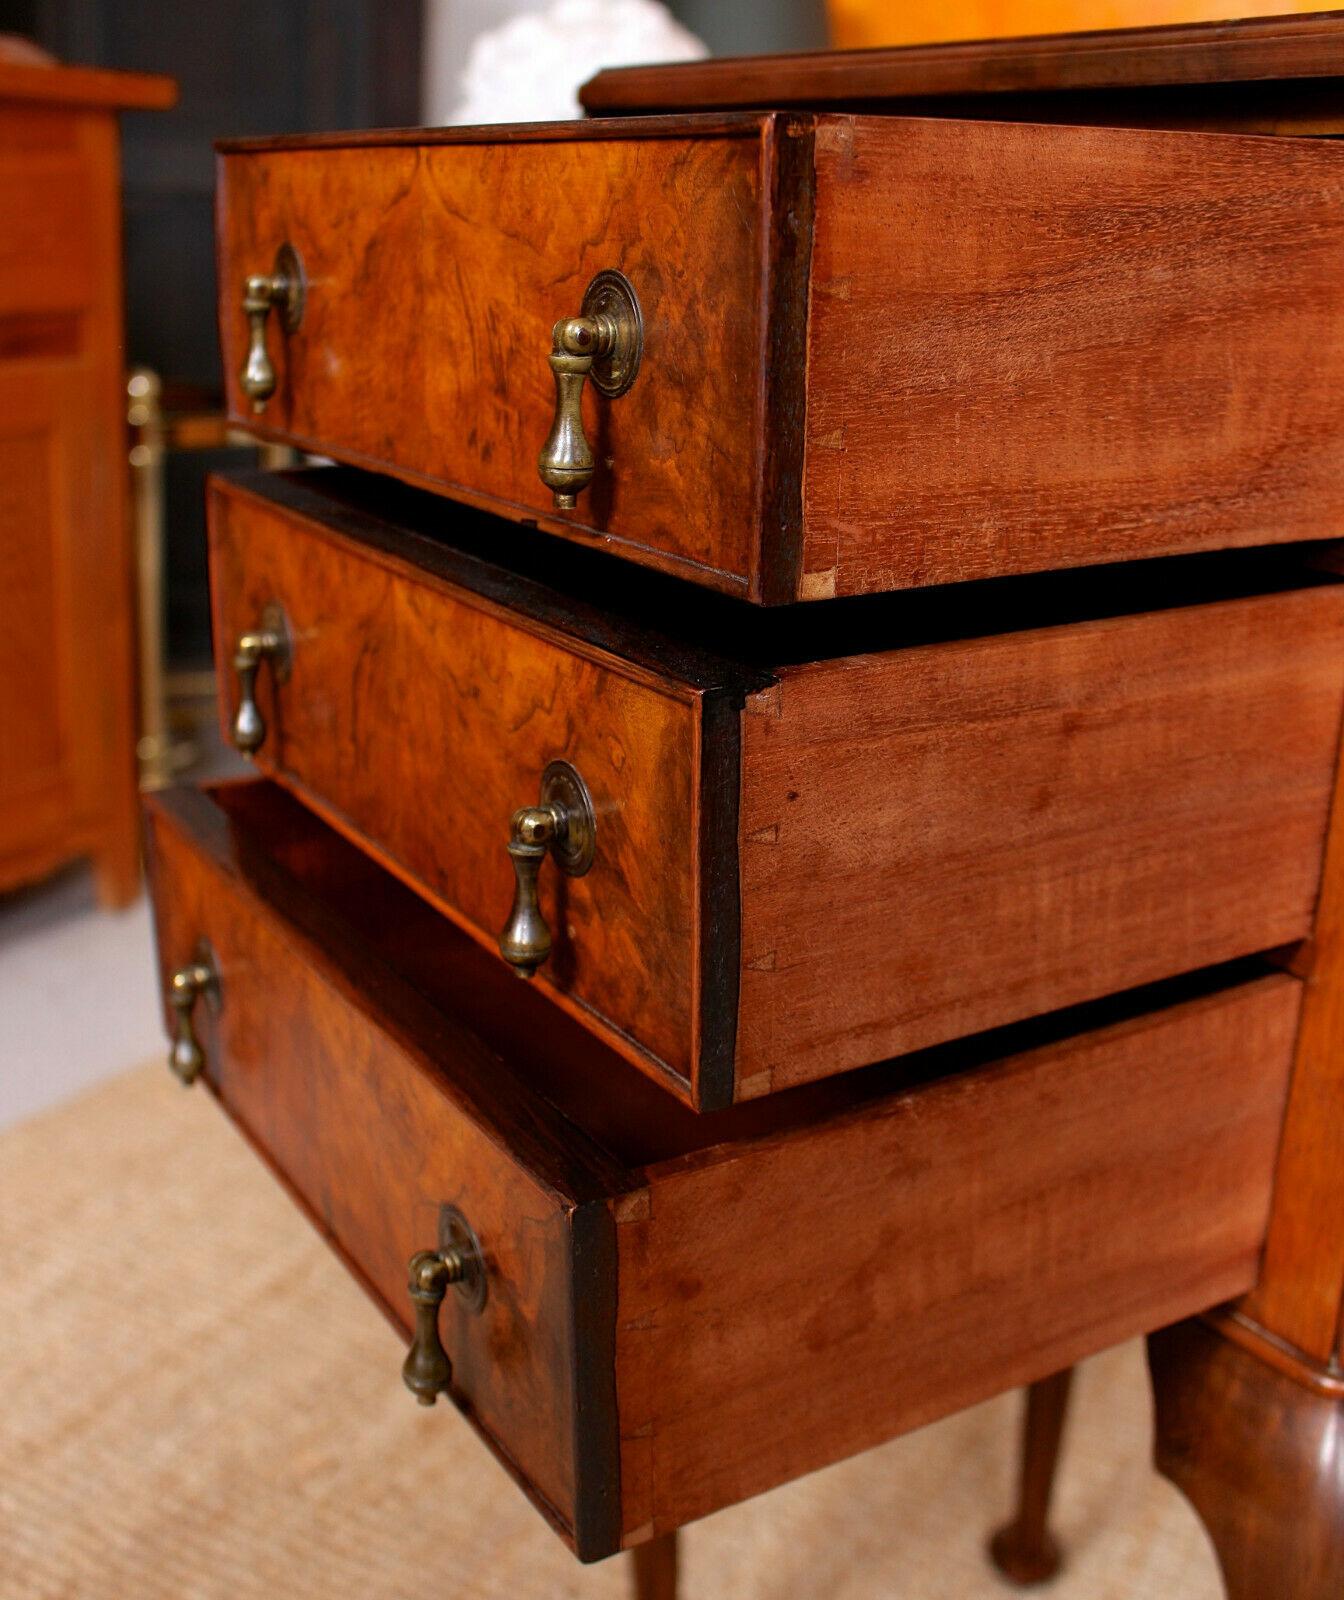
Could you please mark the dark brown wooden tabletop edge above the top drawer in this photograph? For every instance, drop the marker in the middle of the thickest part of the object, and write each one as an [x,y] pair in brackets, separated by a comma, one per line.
[1279,49]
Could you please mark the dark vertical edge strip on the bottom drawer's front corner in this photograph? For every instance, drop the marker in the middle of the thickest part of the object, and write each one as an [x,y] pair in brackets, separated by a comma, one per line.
[598,1430]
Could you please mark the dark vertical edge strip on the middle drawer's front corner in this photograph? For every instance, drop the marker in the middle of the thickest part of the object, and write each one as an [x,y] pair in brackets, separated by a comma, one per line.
[721,905]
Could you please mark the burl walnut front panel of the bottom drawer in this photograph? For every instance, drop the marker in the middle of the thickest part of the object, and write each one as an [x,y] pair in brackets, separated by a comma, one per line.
[377,1111]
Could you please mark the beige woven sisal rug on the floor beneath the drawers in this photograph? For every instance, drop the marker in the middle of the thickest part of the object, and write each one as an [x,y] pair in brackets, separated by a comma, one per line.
[196,1404]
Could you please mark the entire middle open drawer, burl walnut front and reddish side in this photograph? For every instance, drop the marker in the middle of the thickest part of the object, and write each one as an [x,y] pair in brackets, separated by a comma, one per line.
[798,866]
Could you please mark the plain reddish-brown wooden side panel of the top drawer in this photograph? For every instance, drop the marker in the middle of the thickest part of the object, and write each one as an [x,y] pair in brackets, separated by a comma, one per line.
[1039,348]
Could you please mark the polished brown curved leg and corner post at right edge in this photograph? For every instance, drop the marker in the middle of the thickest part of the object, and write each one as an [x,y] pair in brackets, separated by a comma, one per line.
[1250,1406]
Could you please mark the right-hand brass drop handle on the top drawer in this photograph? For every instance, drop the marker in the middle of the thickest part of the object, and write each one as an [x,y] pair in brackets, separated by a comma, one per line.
[604,343]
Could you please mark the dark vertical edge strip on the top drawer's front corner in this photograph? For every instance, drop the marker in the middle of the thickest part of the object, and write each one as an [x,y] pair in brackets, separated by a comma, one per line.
[793,202]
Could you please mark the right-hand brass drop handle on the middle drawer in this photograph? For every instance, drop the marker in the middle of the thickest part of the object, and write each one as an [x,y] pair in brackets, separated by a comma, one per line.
[562,825]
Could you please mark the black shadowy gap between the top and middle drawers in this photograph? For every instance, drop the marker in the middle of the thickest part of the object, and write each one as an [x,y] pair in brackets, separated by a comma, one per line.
[714,641]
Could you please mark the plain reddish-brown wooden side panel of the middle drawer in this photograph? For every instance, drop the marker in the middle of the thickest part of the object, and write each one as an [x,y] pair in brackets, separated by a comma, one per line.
[943,839]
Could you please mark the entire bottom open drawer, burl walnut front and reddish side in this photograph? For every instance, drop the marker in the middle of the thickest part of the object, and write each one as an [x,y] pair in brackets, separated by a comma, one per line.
[671,1311]
